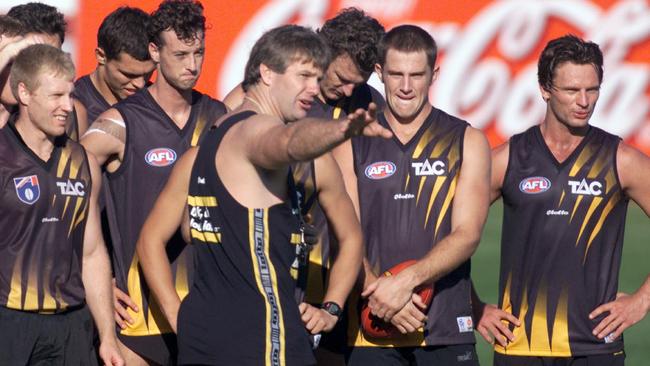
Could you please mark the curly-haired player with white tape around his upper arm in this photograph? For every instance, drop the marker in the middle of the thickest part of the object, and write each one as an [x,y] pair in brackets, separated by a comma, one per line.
[141,138]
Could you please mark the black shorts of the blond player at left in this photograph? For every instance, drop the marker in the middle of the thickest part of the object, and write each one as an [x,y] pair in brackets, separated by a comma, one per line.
[54,339]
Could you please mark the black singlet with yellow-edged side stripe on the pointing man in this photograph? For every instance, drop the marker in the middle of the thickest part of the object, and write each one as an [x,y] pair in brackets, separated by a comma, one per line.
[241,308]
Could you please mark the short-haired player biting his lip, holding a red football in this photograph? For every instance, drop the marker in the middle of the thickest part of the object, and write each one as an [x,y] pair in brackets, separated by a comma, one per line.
[430,205]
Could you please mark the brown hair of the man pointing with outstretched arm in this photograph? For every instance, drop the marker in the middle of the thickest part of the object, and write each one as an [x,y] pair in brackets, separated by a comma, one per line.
[281,46]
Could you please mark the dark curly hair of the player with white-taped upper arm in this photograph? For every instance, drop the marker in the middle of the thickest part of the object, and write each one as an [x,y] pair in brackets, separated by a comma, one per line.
[184,17]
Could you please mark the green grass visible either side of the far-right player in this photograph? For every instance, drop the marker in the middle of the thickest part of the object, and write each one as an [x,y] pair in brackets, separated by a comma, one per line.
[635,268]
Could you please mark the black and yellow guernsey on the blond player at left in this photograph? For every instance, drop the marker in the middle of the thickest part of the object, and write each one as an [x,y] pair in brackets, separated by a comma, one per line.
[42,221]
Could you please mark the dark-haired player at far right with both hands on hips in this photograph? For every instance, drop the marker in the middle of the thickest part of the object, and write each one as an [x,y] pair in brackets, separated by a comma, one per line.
[565,186]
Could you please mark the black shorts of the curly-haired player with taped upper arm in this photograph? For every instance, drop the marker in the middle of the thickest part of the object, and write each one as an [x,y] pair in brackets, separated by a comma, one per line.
[161,349]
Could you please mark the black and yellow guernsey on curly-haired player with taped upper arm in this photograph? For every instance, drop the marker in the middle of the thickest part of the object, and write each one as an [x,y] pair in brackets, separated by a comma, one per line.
[153,144]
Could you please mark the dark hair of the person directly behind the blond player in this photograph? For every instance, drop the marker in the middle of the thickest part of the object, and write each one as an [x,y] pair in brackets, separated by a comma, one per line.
[39,18]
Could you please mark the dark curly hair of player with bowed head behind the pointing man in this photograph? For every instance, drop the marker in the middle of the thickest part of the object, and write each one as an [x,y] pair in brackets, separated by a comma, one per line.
[353,32]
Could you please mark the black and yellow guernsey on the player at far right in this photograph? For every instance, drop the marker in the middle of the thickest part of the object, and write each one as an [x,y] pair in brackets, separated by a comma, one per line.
[561,247]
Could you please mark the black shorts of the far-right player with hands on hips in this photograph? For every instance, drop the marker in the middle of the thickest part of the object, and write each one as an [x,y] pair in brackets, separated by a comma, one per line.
[611,359]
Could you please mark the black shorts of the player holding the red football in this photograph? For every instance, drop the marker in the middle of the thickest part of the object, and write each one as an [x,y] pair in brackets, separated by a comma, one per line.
[461,355]
